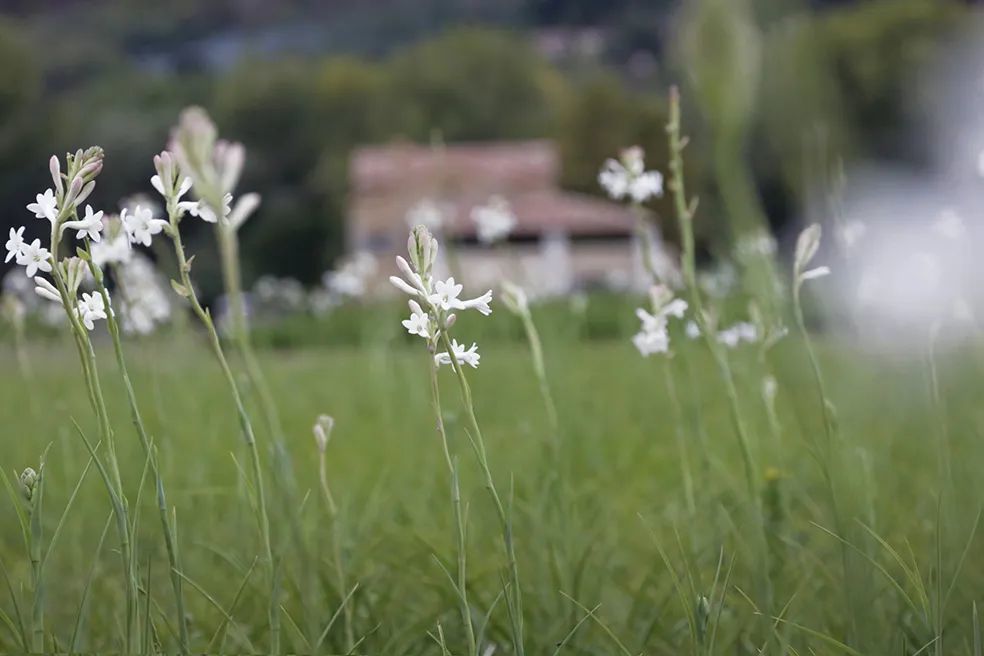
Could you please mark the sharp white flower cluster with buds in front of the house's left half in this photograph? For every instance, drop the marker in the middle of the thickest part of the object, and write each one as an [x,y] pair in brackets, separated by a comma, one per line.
[433,302]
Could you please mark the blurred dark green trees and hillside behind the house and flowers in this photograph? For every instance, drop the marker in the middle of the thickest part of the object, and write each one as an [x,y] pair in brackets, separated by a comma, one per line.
[778,93]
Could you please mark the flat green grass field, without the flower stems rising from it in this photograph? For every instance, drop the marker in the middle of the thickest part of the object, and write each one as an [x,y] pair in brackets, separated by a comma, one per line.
[634,527]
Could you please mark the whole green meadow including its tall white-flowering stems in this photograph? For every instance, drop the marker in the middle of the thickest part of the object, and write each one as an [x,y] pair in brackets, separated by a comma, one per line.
[363,483]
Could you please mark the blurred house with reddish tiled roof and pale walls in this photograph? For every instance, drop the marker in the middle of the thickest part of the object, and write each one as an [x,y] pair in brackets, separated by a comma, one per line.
[562,240]
